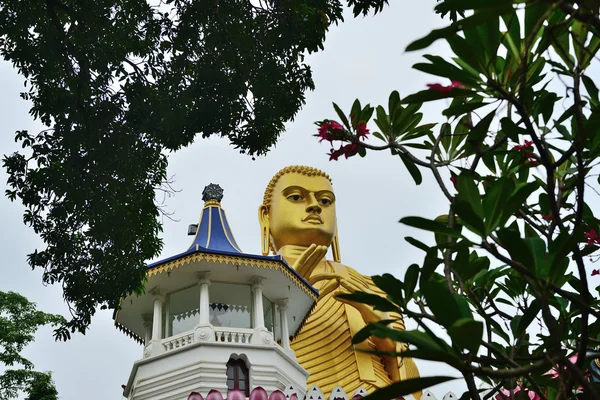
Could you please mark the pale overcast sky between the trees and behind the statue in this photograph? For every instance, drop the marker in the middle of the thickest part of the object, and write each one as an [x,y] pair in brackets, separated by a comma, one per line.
[363,58]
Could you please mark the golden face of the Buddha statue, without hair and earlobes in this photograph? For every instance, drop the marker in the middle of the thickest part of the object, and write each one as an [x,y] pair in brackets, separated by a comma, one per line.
[302,211]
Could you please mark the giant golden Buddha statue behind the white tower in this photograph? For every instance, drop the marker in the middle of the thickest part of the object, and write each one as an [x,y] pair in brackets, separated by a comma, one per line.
[298,221]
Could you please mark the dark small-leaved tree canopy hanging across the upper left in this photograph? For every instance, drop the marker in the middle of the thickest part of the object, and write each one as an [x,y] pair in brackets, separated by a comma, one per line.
[119,83]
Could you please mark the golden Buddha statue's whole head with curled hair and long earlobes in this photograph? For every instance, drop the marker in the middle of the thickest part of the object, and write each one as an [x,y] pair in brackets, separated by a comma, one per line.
[298,209]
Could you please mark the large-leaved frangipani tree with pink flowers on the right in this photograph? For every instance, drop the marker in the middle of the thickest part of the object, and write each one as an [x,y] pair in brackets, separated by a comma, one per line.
[509,271]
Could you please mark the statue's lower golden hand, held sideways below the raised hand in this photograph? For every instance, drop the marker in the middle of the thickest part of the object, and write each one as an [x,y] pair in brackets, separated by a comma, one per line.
[341,285]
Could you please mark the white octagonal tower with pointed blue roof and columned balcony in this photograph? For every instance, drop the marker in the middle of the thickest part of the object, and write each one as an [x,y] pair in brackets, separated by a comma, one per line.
[213,317]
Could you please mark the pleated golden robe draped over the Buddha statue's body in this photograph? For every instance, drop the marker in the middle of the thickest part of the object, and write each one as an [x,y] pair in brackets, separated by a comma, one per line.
[324,344]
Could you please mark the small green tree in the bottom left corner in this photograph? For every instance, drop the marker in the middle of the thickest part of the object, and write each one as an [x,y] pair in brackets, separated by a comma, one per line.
[19,320]
